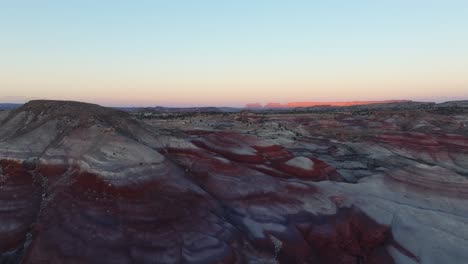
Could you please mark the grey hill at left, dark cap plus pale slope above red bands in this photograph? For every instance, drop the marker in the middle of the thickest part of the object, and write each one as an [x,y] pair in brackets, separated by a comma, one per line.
[103,140]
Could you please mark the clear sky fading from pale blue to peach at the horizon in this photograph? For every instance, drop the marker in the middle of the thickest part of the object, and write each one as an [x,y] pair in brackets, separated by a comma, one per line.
[229,53]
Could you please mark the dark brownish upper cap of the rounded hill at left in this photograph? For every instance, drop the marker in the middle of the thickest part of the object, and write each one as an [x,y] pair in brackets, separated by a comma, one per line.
[48,121]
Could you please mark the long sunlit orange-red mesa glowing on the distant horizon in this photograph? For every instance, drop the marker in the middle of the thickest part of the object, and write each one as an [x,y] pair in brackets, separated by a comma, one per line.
[311,104]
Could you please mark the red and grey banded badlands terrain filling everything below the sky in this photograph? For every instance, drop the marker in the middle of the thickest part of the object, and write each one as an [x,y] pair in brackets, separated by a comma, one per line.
[80,183]
